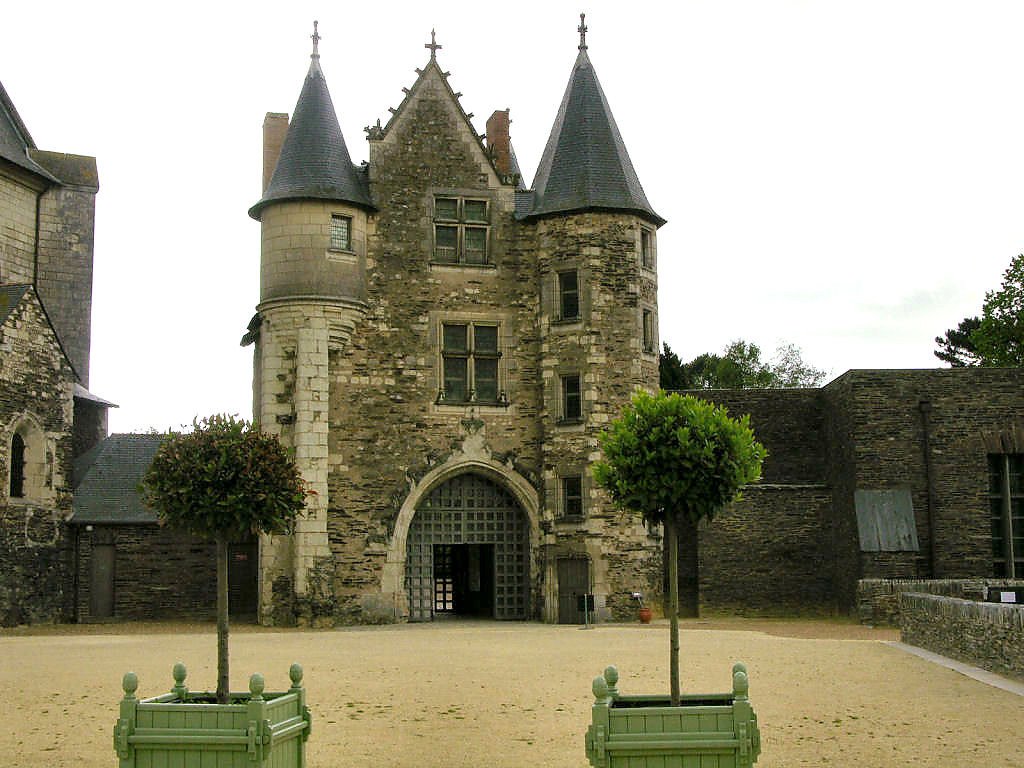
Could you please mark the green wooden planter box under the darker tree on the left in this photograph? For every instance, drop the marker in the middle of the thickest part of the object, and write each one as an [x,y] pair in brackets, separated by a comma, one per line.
[184,730]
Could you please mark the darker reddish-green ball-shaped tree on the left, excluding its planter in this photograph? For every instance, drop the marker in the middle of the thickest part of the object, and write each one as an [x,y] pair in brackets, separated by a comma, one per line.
[222,482]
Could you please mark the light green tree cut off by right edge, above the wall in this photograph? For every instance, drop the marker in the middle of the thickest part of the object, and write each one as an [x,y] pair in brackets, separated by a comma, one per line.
[1000,337]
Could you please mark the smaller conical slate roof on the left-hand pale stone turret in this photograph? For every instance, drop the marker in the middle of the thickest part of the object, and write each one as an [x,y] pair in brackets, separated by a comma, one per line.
[315,162]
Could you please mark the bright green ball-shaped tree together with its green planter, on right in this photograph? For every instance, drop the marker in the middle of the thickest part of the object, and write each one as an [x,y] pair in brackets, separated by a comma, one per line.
[669,458]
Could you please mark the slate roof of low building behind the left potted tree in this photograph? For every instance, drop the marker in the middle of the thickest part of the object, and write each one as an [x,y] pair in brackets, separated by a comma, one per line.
[107,480]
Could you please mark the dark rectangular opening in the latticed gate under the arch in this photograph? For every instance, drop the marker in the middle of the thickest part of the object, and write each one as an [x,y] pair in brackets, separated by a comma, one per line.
[464,580]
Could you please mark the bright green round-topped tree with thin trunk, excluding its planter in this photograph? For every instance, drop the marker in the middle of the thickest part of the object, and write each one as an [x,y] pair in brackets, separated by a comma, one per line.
[671,458]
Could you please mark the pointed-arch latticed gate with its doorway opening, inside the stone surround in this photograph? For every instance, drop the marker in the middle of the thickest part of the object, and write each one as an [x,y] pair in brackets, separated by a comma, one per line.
[467,552]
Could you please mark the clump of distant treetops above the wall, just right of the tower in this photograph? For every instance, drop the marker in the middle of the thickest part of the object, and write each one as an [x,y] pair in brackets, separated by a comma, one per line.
[740,367]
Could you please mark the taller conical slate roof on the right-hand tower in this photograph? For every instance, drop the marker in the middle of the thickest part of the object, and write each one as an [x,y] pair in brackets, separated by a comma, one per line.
[585,165]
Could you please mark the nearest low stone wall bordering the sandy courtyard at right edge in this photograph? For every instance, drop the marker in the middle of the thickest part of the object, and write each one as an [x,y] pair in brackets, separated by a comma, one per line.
[987,635]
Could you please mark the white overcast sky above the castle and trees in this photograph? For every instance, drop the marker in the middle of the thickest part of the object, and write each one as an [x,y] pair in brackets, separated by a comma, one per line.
[845,177]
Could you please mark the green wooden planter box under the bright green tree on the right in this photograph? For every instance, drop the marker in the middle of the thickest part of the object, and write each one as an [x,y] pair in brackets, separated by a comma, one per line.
[718,731]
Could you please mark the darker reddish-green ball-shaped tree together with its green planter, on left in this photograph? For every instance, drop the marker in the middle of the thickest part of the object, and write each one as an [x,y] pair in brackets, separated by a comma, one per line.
[222,481]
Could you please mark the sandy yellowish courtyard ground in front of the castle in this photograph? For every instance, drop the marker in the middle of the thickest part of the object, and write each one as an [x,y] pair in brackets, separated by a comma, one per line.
[458,695]
